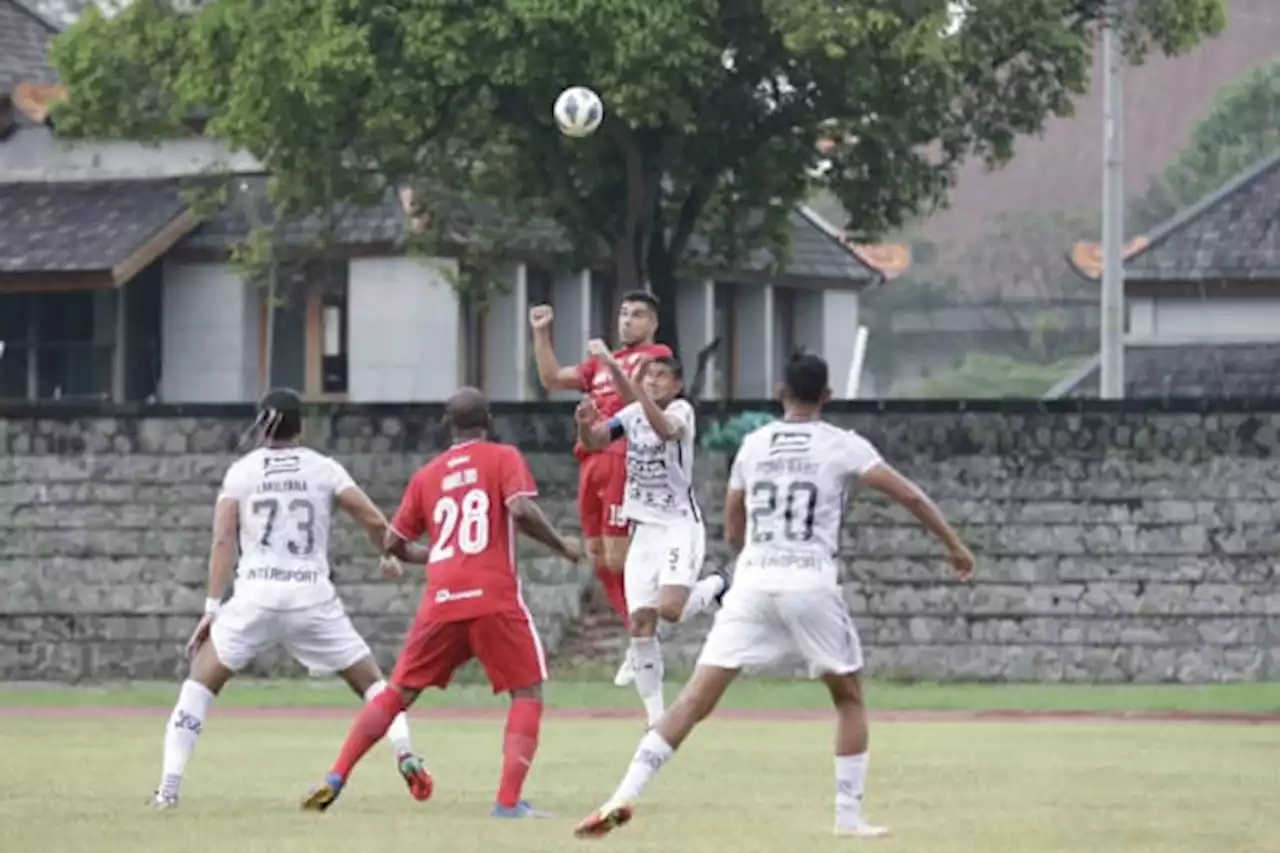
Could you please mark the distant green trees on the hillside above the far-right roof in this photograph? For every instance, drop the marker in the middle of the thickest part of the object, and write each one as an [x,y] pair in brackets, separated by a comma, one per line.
[1241,129]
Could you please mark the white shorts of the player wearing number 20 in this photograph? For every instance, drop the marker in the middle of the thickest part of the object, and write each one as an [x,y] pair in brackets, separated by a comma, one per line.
[757,630]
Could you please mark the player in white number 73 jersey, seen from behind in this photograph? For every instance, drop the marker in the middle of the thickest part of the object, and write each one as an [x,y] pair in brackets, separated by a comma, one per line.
[277,504]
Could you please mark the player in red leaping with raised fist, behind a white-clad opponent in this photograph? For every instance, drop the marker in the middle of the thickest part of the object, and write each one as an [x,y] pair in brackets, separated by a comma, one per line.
[604,475]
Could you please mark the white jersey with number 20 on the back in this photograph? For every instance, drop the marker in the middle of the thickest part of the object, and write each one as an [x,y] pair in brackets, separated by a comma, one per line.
[797,477]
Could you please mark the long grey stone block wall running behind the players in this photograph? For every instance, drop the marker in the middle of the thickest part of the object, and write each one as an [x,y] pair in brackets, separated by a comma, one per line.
[1116,544]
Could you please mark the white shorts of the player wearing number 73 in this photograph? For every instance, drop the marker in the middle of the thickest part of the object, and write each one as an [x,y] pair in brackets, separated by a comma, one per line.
[321,638]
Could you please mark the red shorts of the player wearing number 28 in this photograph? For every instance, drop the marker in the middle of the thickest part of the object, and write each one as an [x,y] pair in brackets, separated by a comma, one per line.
[506,645]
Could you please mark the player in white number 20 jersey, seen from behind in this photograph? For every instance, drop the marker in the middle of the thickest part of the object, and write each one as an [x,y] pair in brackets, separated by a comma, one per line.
[784,513]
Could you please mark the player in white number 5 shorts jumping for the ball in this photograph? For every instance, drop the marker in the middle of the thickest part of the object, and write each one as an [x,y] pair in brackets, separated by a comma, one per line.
[669,537]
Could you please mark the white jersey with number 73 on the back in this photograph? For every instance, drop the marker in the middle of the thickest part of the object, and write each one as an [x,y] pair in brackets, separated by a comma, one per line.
[286,499]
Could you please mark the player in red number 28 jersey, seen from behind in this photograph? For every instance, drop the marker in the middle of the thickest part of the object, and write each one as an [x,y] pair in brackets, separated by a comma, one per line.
[468,501]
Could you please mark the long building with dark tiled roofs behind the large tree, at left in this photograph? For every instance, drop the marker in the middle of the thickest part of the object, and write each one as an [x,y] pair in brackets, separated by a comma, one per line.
[112,289]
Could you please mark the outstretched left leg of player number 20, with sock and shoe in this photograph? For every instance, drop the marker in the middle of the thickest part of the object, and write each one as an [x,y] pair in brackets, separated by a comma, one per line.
[696,704]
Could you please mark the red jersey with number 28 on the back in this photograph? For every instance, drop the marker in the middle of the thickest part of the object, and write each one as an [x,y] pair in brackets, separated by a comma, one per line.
[459,501]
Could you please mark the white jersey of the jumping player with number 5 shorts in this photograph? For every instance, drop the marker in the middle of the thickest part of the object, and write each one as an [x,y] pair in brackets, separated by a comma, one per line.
[660,475]
